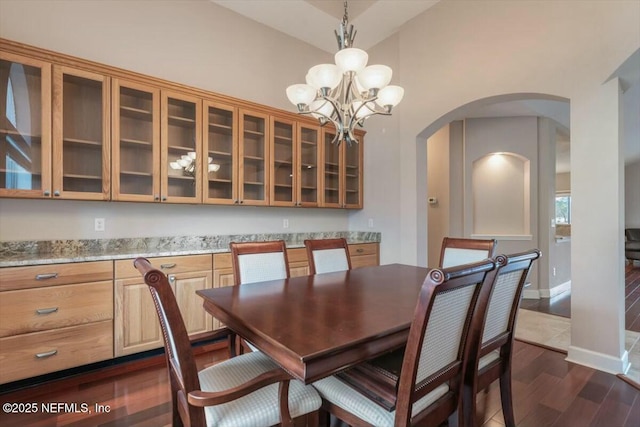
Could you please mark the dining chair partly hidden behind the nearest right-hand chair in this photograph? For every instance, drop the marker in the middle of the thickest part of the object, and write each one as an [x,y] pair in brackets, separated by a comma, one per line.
[494,345]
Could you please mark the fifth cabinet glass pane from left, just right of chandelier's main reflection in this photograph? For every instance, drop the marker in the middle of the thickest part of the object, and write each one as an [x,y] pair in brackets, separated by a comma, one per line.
[220,151]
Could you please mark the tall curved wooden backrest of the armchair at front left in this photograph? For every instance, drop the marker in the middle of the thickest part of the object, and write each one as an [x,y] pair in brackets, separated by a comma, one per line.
[183,372]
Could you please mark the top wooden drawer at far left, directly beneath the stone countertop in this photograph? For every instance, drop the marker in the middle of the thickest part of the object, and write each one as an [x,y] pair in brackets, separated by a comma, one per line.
[54,274]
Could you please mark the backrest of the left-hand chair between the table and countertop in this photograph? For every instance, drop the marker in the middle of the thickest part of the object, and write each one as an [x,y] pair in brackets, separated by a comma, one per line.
[259,261]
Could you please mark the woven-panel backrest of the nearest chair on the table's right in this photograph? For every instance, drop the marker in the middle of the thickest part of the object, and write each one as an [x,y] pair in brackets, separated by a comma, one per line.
[436,352]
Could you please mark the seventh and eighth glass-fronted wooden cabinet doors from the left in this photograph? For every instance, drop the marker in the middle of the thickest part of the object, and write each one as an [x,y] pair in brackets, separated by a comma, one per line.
[294,163]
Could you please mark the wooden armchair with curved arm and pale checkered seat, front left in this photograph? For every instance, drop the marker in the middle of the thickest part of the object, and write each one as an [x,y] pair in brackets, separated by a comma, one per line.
[247,390]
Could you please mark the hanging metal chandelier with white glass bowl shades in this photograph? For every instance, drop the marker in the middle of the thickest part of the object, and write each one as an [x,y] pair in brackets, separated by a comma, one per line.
[348,92]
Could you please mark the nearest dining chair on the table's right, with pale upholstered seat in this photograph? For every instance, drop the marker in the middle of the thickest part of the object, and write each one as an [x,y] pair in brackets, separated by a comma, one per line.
[428,387]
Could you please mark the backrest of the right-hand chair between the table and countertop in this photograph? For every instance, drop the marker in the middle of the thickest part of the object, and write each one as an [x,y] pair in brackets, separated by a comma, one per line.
[327,255]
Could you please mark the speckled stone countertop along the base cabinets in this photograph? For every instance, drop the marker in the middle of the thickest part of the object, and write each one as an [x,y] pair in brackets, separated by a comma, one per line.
[23,253]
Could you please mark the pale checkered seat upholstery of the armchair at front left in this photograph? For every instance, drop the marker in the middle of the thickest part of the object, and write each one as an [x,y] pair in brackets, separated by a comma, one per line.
[259,408]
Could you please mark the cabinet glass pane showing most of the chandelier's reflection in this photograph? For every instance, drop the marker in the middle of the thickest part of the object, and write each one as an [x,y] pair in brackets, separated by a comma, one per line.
[181,148]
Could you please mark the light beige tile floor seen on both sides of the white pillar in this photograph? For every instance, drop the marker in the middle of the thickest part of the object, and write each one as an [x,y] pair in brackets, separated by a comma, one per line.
[555,332]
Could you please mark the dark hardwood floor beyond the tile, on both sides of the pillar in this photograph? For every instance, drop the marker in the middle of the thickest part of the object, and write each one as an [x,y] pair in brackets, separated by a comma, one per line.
[561,304]
